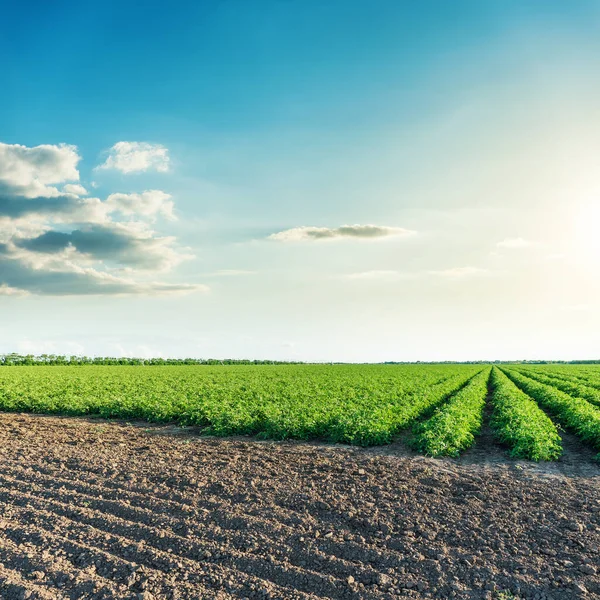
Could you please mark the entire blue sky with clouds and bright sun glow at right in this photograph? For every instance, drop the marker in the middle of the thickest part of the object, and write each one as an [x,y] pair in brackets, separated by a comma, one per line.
[326,180]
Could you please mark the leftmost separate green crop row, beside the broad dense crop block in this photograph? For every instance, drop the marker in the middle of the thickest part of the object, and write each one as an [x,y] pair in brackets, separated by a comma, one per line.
[453,426]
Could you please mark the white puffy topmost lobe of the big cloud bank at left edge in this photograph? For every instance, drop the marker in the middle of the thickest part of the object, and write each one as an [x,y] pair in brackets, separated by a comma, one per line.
[31,172]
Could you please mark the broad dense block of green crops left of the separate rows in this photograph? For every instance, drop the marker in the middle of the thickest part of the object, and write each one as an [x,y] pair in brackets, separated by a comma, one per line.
[356,404]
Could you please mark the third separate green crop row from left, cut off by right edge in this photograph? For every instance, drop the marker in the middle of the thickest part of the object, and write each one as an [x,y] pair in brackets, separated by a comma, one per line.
[575,414]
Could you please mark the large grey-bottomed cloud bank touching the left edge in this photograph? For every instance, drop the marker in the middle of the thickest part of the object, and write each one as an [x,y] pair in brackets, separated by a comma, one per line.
[55,242]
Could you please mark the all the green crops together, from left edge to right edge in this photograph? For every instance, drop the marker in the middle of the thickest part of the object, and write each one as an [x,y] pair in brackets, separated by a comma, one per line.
[438,409]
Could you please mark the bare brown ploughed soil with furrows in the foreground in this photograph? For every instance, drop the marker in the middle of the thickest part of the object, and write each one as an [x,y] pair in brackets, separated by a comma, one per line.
[90,509]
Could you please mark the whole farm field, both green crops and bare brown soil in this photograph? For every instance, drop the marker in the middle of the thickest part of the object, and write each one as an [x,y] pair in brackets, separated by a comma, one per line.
[123,499]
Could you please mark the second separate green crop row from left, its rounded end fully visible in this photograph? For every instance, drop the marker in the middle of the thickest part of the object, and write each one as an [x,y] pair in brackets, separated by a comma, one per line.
[518,422]
